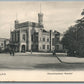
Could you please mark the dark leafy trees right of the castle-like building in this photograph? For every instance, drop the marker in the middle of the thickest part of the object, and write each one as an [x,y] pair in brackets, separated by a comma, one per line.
[73,39]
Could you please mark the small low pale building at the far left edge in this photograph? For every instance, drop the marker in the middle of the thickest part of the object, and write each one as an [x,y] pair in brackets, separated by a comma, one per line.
[4,44]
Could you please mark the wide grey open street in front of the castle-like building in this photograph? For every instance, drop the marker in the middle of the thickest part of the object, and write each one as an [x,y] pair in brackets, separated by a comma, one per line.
[25,61]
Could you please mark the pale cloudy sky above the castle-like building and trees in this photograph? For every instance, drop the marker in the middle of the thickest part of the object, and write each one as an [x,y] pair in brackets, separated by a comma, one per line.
[57,15]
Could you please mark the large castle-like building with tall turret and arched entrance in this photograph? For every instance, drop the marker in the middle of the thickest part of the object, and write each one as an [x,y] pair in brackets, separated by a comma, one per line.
[29,36]
